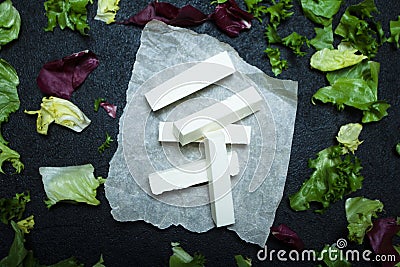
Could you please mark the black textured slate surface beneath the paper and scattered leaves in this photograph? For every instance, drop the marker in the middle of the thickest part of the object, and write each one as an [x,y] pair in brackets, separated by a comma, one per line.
[86,232]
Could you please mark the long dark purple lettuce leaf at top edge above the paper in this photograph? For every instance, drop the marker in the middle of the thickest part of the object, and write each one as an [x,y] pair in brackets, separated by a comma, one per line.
[170,14]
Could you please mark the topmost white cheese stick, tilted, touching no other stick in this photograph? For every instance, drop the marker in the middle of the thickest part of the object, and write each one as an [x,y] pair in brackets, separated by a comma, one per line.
[193,79]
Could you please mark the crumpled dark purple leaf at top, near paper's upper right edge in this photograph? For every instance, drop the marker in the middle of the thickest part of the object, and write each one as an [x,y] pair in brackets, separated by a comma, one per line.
[231,19]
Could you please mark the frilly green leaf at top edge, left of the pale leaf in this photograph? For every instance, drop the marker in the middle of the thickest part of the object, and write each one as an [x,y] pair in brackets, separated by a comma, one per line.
[67,13]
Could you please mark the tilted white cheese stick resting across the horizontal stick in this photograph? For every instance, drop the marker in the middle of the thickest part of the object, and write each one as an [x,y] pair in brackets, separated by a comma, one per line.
[217,116]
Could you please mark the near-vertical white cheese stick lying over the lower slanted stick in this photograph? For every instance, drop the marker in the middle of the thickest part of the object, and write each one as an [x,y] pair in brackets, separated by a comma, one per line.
[219,184]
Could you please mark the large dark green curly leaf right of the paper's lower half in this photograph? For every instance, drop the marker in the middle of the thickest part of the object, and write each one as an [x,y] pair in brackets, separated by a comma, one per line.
[334,176]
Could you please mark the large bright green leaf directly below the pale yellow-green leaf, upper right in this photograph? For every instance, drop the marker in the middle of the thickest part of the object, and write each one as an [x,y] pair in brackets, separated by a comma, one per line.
[357,87]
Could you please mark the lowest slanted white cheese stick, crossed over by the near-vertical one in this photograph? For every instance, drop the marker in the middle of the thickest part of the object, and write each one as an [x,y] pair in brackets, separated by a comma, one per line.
[187,175]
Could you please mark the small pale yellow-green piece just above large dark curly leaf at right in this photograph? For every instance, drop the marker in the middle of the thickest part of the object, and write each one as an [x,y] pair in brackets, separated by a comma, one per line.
[348,137]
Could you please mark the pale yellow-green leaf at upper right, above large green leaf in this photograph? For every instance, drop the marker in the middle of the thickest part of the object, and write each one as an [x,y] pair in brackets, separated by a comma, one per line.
[335,59]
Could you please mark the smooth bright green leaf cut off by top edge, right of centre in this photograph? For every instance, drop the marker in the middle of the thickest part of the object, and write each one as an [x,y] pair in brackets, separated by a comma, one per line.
[321,11]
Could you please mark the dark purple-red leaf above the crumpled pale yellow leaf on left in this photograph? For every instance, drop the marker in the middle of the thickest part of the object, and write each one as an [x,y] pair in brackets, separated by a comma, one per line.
[61,77]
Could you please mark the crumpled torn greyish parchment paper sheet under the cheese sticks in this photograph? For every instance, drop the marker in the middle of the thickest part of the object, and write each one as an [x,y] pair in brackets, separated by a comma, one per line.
[257,190]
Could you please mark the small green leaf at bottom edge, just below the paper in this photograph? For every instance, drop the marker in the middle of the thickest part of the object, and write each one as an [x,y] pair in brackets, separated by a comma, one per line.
[180,258]
